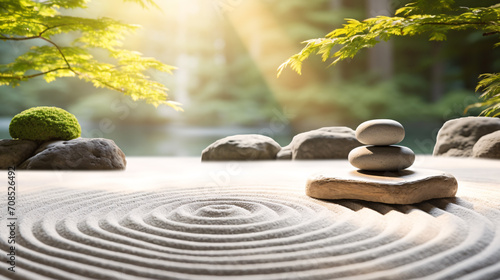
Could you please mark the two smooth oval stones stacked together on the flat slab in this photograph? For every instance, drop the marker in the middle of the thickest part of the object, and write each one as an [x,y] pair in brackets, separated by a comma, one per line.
[381,152]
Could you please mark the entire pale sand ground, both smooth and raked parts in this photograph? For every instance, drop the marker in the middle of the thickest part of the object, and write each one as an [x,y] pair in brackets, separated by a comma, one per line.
[178,218]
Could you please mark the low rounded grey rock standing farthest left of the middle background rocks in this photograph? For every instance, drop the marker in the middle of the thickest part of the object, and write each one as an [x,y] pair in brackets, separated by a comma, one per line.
[242,147]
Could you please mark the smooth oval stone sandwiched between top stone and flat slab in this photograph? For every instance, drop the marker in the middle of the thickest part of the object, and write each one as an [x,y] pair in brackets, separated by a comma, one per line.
[382,158]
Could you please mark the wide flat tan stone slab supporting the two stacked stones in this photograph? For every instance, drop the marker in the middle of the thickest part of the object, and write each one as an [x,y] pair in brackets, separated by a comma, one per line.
[400,187]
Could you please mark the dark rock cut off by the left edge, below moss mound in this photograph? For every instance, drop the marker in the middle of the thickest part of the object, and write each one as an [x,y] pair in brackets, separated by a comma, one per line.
[14,152]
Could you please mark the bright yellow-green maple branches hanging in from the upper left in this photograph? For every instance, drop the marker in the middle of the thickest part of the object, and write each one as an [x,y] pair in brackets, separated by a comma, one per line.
[41,21]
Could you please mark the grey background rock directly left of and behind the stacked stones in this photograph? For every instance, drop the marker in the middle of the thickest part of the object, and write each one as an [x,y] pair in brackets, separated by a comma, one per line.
[324,143]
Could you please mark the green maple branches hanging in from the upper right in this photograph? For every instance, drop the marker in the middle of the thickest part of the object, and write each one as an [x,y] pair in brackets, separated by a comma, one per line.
[433,17]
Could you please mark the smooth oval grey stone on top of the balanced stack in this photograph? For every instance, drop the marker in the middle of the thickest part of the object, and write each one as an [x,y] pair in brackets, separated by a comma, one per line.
[380,132]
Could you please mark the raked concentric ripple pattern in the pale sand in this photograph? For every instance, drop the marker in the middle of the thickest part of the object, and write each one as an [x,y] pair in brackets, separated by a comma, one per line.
[249,232]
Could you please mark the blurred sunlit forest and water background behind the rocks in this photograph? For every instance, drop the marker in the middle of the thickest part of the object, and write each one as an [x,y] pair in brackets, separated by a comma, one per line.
[227,53]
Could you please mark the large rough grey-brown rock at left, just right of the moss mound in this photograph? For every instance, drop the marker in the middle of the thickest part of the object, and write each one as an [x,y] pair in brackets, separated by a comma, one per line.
[77,154]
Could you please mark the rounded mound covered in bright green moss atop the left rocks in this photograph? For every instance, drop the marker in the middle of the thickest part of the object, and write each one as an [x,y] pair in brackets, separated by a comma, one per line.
[43,124]
